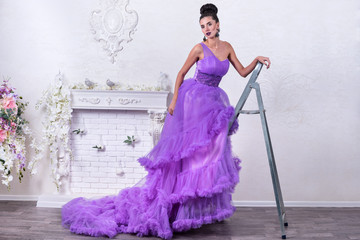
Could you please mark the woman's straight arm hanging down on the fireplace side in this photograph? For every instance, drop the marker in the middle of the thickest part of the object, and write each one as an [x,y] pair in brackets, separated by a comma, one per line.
[194,55]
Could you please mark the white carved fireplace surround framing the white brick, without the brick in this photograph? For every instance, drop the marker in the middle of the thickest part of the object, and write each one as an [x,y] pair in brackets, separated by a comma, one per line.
[153,102]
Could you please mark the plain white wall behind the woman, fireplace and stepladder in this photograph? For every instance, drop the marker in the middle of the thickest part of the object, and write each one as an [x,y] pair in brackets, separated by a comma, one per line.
[310,91]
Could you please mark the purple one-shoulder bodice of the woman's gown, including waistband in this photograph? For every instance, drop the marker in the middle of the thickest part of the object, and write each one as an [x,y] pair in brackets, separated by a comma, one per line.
[210,69]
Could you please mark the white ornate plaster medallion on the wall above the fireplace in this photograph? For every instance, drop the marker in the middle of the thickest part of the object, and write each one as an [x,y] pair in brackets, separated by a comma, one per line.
[113,25]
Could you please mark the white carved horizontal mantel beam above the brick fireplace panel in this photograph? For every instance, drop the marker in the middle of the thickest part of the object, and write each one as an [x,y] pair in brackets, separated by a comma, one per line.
[120,100]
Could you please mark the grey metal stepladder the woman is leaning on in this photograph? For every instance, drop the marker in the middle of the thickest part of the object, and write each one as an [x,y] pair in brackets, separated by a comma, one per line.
[252,84]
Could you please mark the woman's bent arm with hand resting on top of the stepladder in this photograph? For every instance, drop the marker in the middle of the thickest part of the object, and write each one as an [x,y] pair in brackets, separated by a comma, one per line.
[244,71]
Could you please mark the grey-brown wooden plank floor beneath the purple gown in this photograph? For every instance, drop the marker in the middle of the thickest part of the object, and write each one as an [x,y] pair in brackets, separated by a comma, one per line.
[23,220]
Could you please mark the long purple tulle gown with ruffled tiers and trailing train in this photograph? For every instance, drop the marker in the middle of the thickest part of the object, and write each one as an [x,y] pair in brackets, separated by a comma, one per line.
[191,171]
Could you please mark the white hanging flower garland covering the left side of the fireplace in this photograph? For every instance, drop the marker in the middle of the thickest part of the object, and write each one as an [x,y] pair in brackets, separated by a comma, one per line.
[57,103]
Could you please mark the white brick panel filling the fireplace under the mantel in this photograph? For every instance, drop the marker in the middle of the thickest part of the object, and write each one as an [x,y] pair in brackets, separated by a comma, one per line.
[98,172]
